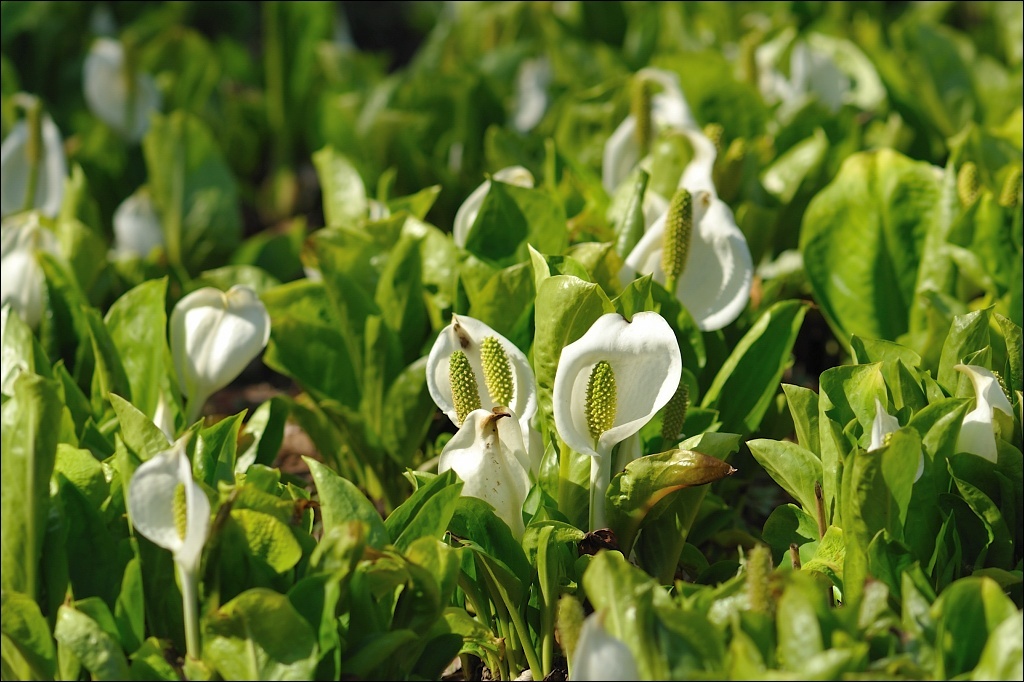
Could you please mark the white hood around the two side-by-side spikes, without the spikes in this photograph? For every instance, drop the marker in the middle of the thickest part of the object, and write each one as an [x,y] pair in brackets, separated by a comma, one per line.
[467,334]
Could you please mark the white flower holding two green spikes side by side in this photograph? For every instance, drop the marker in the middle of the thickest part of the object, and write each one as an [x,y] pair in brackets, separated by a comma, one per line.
[500,374]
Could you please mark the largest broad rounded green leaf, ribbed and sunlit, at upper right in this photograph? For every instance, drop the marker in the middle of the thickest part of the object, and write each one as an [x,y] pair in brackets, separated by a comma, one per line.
[863,238]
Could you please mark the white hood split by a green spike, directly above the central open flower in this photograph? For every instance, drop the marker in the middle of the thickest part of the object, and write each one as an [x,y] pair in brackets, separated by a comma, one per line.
[716,285]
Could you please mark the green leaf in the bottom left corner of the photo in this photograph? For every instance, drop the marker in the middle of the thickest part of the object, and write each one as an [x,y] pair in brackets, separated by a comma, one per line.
[27,632]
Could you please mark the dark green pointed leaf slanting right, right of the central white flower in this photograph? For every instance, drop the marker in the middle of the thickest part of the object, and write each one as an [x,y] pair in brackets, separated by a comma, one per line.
[748,381]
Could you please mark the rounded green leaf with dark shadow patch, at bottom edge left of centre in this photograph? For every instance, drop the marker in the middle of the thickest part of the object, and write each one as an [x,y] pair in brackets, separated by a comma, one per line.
[260,636]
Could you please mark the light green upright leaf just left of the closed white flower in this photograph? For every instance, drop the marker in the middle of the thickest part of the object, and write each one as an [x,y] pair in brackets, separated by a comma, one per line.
[138,324]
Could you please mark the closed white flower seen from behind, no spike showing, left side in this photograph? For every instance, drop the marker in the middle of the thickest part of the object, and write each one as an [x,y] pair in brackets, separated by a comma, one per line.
[215,335]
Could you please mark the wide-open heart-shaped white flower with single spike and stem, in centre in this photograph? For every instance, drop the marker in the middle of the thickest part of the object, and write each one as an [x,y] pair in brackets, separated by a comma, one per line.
[609,385]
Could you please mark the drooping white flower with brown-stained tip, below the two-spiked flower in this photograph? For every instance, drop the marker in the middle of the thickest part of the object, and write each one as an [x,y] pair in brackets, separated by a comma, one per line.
[490,456]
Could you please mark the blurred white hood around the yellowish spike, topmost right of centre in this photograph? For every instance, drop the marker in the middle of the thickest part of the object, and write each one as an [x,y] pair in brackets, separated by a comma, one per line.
[669,110]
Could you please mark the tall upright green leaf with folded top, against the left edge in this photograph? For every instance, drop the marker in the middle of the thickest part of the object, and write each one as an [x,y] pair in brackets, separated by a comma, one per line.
[31,420]
